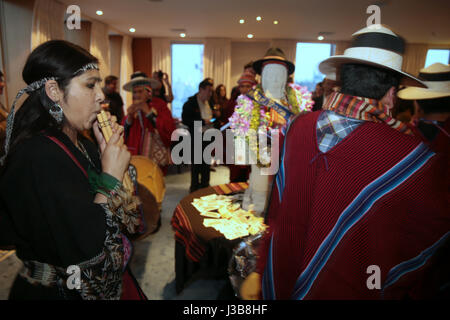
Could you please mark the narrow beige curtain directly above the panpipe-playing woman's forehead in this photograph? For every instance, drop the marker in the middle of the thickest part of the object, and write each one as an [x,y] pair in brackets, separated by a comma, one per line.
[99,46]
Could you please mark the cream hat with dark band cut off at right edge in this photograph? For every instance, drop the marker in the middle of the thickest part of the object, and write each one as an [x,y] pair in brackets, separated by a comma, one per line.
[436,77]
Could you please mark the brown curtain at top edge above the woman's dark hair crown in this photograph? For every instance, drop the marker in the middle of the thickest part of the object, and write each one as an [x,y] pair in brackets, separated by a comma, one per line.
[48,22]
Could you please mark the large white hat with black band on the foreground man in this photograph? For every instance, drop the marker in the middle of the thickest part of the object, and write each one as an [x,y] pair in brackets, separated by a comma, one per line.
[377,46]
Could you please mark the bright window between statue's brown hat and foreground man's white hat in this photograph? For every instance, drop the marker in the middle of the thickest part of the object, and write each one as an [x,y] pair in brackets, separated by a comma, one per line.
[307,60]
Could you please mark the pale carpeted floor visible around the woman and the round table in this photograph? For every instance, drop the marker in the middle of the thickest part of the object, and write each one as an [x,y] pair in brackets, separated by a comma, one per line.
[153,261]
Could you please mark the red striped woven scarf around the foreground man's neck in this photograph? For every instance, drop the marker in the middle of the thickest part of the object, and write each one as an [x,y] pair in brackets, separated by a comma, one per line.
[362,109]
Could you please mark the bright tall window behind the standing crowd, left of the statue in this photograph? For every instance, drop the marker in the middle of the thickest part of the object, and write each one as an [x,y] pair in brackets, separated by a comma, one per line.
[187,73]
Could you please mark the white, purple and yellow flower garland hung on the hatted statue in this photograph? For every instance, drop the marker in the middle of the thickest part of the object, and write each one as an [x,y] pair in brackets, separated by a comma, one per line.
[249,115]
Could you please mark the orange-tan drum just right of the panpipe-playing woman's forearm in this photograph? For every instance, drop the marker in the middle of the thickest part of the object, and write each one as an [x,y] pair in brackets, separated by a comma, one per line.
[151,176]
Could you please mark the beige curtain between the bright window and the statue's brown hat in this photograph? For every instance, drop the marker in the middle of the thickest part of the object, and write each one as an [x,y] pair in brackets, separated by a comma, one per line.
[217,61]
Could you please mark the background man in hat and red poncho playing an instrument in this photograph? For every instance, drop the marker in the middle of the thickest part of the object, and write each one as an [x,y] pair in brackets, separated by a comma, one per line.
[148,123]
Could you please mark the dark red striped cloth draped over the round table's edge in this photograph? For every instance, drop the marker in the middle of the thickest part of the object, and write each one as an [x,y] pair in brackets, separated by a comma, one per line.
[184,232]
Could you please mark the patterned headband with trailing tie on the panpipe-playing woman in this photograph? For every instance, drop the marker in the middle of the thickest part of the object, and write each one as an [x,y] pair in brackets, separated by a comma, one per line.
[28,89]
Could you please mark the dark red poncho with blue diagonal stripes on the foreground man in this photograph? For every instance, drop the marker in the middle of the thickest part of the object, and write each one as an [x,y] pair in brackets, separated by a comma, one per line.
[378,198]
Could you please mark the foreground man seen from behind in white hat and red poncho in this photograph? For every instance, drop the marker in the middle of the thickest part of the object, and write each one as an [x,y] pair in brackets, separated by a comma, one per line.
[356,211]
